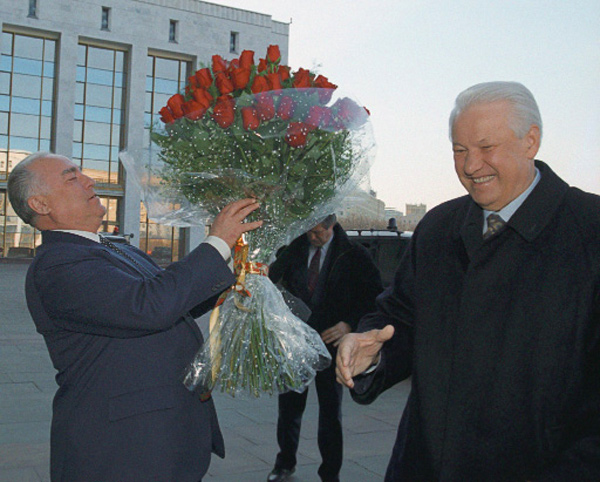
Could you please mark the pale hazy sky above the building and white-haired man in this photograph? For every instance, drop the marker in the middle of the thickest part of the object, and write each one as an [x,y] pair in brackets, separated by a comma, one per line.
[406,61]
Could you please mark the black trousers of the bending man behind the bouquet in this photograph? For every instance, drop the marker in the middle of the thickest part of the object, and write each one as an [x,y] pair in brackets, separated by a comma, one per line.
[291,409]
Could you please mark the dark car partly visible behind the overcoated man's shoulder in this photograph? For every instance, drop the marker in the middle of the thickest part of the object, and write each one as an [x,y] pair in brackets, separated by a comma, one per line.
[386,248]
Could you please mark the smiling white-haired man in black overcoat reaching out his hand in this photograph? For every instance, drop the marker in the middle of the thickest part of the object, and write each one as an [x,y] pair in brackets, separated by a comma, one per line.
[495,312]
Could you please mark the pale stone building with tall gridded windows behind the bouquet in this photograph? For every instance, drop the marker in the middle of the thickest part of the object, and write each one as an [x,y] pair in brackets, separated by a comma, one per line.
[86,79]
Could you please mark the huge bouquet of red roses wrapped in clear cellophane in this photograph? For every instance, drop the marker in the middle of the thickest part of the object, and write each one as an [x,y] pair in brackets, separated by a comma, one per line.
[289,140]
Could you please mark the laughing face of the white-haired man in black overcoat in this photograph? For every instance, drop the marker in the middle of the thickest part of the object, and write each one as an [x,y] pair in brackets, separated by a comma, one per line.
[492,163]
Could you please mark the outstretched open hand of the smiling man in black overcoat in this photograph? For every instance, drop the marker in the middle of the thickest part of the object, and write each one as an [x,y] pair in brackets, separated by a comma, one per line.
[358,351]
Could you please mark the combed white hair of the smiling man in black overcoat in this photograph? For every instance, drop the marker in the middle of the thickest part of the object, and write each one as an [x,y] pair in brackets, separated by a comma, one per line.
[525,109]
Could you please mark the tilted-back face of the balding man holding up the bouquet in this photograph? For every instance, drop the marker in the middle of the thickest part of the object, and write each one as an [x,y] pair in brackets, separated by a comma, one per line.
[68,200]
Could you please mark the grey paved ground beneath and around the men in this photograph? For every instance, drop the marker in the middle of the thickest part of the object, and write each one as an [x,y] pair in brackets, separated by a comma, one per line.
[27,386]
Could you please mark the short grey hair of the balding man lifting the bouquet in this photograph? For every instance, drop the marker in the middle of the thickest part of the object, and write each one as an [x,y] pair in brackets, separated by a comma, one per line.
[24,183]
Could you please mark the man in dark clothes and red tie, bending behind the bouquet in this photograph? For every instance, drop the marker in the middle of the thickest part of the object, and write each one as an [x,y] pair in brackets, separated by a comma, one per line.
[339,282]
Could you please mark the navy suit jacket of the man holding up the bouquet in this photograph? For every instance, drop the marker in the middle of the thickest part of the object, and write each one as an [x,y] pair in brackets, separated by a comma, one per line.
[120,340]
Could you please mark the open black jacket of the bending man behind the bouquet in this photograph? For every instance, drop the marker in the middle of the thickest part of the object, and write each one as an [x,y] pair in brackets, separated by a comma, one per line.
[348,282]
